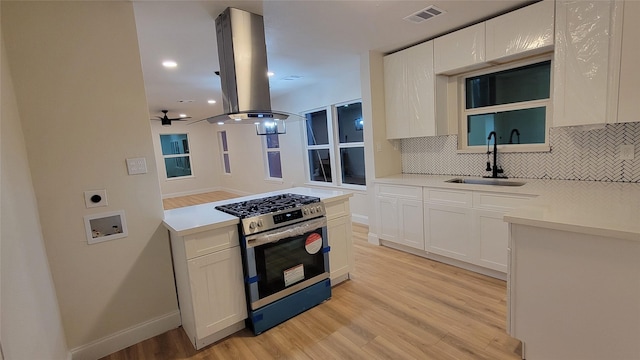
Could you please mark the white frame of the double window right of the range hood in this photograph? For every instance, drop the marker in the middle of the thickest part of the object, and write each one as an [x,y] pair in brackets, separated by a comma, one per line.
[334,146]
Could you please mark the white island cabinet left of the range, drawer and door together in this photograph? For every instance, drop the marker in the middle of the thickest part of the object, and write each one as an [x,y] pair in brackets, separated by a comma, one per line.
[209,280]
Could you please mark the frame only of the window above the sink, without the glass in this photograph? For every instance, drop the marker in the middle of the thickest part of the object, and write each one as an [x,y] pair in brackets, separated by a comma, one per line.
[463,112]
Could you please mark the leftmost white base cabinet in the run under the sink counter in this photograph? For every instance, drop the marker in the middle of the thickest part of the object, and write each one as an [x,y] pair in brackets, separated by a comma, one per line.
[400,215]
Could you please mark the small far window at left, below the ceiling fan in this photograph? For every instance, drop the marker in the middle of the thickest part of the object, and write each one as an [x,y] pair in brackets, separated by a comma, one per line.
[175,150]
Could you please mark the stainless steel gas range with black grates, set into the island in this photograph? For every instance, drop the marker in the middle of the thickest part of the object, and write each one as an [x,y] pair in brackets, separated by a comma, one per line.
[285,256]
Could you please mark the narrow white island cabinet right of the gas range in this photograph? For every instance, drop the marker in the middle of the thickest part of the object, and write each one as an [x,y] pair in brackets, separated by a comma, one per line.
[340,239]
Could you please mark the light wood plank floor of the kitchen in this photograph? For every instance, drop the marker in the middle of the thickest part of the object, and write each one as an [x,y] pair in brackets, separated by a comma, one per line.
[396,306]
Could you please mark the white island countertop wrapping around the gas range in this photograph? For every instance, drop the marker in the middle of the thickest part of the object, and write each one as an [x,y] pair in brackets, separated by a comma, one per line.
[197,218]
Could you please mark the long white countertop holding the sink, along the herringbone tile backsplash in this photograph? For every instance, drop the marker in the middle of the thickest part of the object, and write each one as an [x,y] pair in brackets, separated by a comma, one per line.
[589,207]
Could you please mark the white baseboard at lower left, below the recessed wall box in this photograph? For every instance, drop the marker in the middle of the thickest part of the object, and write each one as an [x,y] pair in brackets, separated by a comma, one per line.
[127,337]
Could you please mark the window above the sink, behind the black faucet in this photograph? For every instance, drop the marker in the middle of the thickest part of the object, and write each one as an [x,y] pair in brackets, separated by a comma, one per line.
[514,102]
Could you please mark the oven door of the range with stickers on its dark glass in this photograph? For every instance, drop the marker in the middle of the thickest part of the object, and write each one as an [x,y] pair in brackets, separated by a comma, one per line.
[283,261]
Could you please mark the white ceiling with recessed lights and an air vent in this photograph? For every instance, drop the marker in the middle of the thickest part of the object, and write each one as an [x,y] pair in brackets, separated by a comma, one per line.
[307,40]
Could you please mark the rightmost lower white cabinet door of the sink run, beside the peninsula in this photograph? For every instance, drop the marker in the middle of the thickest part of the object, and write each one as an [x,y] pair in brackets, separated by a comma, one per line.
[492,239]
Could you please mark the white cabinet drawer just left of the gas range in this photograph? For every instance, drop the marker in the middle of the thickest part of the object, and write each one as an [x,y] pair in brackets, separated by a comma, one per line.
[210,241]
